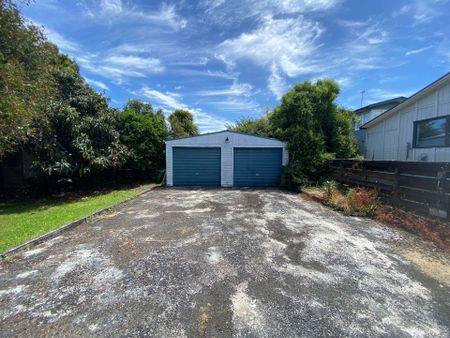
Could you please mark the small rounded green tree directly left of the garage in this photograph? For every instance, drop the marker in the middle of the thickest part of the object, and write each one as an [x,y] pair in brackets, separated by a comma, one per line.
[143,132]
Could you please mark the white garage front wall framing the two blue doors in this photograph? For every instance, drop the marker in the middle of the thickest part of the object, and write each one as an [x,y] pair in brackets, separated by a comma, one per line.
[236,140]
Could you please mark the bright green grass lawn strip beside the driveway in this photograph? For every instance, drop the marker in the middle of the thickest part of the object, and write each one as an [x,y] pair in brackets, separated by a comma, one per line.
[21,221]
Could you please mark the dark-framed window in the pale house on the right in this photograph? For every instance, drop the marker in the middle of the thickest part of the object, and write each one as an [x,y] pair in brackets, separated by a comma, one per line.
[432,132]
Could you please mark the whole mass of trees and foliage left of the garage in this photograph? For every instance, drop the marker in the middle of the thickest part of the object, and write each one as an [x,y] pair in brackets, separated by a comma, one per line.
[48,110]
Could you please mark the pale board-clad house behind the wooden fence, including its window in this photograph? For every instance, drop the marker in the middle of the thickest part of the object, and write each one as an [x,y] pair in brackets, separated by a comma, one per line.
[418,129]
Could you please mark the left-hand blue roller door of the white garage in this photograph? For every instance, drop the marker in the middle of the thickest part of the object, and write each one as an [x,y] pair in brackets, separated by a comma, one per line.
[193,166]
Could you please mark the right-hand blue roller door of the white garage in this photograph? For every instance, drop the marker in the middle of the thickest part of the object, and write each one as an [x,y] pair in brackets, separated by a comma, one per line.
[257,167]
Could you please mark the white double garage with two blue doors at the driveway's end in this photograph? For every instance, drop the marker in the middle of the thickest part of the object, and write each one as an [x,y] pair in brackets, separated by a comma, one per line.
[225,159]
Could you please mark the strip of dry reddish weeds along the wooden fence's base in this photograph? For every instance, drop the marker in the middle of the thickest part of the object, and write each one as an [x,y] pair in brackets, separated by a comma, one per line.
[365,202]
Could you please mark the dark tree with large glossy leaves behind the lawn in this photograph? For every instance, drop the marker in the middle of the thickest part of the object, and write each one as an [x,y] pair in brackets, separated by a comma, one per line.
[76,135]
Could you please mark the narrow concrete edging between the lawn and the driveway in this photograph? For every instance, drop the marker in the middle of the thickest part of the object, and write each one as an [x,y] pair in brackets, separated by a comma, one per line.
[68,226]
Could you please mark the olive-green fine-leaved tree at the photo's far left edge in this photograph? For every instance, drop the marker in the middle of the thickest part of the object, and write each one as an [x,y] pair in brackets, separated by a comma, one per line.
[26,84]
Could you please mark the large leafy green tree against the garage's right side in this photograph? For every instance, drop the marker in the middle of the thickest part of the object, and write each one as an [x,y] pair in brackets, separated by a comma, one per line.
[314,128]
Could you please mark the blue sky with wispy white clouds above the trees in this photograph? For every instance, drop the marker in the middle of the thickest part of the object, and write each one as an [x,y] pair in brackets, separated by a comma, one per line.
[224,60]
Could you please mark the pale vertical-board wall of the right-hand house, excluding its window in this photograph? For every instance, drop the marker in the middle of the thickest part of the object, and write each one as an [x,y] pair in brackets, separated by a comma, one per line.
[392,138]
